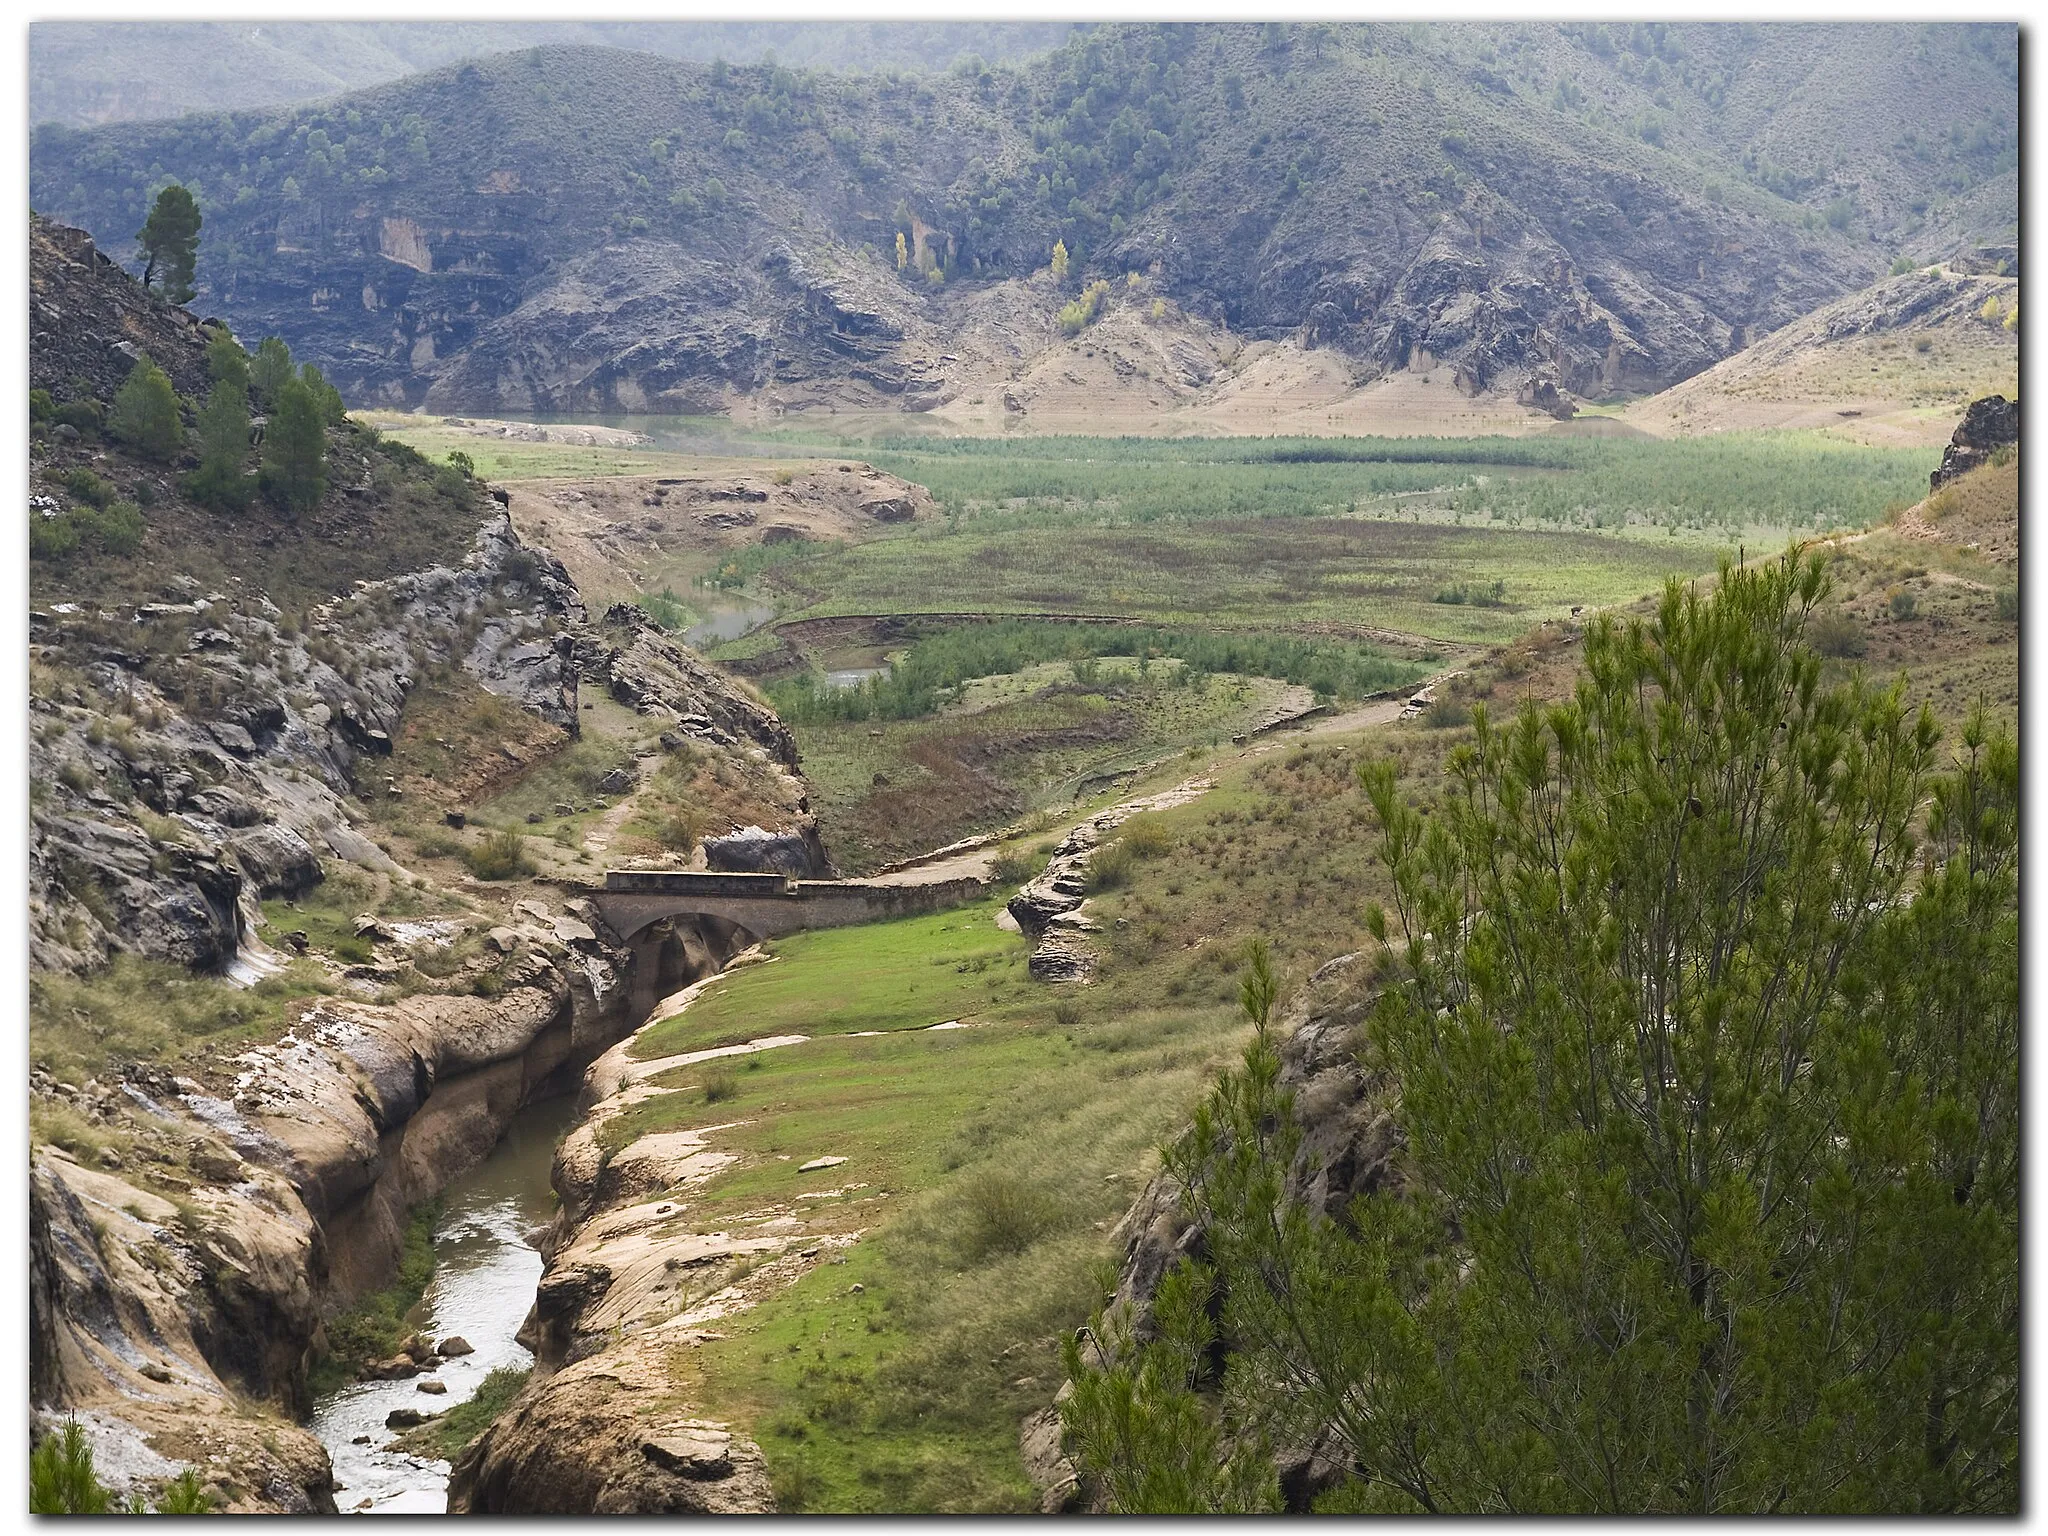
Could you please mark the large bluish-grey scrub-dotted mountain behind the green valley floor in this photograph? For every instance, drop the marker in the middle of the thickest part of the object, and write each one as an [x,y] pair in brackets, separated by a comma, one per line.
[593,230]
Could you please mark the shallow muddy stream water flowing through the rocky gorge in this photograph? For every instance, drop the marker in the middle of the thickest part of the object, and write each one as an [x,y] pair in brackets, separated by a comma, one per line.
[484,1281]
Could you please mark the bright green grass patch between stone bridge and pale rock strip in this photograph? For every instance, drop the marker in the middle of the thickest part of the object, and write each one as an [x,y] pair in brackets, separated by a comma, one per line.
[880,978]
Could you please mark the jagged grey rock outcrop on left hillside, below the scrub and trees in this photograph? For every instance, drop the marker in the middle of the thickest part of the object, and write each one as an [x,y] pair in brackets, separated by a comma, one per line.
[196,757]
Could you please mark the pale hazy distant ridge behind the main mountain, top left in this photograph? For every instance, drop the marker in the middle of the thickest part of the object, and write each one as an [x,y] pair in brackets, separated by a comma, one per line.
[85,73]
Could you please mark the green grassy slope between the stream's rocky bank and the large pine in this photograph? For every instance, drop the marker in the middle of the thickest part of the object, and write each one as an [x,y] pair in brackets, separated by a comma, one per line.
[990,1162]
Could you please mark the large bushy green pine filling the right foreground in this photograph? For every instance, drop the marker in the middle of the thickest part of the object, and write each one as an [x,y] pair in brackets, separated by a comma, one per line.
[1701,1023]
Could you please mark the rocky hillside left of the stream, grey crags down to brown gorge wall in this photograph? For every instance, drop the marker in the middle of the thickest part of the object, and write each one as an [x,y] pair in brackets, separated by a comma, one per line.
[239,1091]
